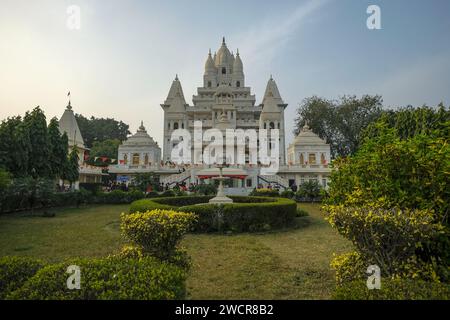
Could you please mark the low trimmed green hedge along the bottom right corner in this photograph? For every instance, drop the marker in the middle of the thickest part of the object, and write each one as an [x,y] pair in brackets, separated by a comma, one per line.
[394,289]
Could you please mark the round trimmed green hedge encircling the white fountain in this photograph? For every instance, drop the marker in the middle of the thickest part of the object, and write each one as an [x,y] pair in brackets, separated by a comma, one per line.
[243,215]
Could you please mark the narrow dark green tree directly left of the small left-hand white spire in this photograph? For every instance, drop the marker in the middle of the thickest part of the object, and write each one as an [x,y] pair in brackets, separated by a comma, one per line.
[58,146]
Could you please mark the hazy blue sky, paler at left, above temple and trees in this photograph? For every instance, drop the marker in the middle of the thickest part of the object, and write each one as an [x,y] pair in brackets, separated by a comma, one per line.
[122,60]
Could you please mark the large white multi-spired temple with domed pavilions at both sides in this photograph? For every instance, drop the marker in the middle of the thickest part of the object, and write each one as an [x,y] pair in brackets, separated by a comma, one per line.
[225,102]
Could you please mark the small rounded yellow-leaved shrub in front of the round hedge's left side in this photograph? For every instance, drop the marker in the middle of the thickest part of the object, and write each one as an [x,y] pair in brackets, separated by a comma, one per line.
[157,232]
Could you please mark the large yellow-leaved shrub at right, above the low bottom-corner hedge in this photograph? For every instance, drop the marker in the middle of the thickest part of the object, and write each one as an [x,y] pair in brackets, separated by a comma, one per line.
[387,238]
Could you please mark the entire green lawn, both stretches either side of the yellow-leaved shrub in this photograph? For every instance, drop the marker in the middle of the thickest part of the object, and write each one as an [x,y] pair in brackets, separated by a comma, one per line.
[288,264]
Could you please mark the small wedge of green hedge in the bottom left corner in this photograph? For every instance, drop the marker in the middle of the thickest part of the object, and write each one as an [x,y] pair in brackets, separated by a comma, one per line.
[15,271]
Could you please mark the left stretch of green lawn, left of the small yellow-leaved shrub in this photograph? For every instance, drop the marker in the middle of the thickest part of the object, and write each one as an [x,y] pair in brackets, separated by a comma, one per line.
[92,231]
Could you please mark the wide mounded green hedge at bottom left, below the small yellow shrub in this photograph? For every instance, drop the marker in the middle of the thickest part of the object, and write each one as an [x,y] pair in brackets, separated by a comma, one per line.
[103,279]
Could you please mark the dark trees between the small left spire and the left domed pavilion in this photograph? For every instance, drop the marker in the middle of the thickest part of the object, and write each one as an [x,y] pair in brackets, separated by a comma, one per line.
[101,129]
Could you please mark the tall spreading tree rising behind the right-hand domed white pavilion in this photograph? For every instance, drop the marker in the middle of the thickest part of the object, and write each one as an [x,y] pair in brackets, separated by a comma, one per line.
[340,122]
